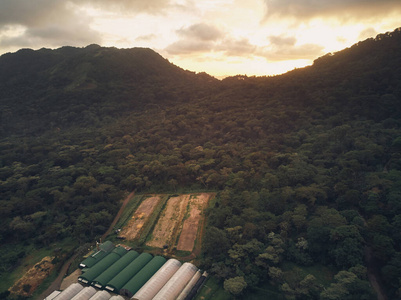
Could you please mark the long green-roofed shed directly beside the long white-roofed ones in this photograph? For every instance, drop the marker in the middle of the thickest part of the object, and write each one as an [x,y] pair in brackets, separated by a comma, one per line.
[134,284]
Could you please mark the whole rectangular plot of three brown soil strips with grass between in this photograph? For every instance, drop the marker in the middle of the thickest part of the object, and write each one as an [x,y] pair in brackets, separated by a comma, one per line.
[166,221]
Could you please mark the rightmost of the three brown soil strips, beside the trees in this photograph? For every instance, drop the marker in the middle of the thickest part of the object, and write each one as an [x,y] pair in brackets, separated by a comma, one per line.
[190,228]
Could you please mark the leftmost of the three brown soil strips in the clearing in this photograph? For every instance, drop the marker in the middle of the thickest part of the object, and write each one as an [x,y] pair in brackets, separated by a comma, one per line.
[141,215]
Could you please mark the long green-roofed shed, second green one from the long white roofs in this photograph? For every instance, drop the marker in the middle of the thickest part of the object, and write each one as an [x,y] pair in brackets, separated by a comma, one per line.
[128,272]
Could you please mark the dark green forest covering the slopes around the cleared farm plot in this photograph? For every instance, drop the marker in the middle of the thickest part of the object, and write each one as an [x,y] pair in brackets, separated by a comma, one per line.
[307,165]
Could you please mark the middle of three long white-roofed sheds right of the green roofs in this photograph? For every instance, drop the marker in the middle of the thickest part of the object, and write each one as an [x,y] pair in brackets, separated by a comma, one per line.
[177,282]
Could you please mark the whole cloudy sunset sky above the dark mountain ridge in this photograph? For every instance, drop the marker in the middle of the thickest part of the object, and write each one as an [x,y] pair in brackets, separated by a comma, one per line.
[220,37]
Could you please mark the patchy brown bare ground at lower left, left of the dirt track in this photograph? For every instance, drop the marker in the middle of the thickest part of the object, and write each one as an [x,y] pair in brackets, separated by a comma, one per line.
[27,284]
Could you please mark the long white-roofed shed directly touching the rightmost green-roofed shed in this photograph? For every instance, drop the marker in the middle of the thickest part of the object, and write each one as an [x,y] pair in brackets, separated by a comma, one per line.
[157,281]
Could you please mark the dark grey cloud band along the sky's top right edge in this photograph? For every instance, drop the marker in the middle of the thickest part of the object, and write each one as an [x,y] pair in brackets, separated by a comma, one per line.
[305,9]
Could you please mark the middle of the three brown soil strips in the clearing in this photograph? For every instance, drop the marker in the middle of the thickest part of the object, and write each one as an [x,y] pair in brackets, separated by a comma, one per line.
[167,225]
